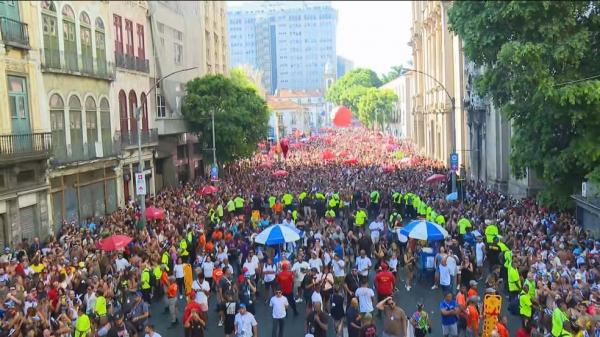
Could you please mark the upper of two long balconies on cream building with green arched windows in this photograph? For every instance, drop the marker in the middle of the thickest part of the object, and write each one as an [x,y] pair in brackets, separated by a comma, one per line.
[56,61]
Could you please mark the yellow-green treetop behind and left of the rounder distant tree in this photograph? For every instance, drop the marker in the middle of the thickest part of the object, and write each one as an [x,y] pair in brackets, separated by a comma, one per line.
[339,92]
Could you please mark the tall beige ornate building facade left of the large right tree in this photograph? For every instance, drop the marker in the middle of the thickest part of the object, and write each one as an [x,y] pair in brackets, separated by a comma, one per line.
[438,126]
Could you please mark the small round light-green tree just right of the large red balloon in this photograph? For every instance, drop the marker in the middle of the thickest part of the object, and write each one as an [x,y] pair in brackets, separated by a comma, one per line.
[376,107]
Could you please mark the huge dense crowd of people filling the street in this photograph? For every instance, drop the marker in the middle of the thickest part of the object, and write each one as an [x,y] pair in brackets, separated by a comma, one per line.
[348,193]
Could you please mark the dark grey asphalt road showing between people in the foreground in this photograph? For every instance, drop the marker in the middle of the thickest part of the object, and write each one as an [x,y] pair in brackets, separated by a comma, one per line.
[294,326]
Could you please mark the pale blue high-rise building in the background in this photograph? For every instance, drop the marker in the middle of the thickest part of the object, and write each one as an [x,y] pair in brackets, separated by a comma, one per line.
[289,41]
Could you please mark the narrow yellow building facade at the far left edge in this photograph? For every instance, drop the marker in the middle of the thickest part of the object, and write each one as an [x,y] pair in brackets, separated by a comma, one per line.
[24,134]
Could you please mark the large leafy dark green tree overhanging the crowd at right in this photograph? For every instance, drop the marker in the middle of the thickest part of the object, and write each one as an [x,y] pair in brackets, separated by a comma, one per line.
[540,60]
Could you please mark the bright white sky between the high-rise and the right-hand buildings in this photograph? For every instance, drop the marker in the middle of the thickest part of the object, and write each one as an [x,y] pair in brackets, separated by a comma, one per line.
[372,34]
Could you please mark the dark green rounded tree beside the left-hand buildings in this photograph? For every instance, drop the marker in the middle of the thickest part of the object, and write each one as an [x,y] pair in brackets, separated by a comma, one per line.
[241,116]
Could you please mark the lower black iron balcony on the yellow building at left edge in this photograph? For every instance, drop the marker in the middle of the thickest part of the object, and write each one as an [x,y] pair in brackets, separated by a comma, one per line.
[29,146]
